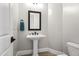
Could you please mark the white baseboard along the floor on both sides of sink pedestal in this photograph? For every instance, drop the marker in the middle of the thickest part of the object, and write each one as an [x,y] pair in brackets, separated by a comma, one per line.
[19,53]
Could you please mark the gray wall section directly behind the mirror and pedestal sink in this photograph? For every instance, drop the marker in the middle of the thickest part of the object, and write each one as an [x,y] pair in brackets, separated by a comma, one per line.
[23,42]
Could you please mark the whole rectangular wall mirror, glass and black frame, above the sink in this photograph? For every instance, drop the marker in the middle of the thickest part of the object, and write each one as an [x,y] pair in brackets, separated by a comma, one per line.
[34,20]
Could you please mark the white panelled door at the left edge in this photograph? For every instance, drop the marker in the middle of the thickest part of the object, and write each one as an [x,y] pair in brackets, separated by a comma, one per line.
[4,27]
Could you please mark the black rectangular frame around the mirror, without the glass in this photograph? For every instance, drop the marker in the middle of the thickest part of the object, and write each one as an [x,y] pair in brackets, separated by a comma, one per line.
[29,20]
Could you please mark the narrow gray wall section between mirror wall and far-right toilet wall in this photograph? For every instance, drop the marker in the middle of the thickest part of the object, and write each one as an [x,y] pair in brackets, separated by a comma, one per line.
[55,26]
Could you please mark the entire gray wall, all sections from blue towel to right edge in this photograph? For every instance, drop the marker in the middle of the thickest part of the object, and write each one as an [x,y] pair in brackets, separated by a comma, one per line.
[59,22]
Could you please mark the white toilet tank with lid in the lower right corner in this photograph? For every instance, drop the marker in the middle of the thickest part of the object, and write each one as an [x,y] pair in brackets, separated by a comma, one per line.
[73,49]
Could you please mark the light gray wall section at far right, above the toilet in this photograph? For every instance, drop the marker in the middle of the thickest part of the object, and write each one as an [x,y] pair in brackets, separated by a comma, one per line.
[70,24]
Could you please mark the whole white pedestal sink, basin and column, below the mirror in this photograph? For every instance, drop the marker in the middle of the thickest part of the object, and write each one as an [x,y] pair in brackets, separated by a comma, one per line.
[35,39]
